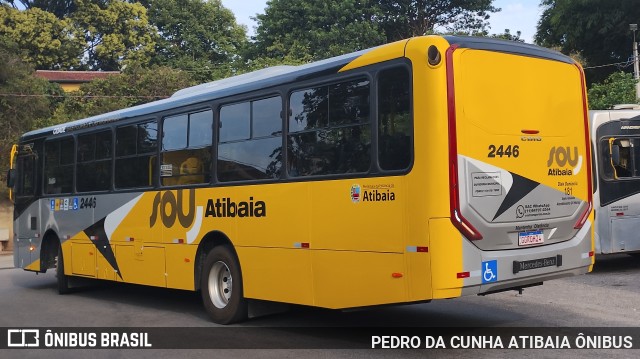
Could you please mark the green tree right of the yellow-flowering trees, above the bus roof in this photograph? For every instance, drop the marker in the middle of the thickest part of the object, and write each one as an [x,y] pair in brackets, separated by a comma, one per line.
[198,36]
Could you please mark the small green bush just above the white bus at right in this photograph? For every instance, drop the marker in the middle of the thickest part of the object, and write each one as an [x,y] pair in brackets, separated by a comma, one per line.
[618,88]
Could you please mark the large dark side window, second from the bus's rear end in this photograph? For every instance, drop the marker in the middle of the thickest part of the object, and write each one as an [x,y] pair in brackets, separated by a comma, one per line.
[330,130]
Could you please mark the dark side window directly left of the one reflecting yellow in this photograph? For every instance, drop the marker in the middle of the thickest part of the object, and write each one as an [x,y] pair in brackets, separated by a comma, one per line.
[136,148]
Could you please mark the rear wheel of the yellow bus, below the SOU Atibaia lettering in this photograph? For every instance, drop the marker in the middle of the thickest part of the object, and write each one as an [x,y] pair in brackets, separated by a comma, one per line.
[221,287]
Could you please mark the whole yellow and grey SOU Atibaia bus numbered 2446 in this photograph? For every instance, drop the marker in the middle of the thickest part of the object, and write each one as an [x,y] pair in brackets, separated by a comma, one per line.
[424,169]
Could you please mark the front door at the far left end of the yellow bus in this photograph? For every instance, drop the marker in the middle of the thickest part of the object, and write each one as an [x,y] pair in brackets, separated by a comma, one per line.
[26,223]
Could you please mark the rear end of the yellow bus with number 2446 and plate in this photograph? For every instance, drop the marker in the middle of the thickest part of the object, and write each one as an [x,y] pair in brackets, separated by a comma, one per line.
[519,163]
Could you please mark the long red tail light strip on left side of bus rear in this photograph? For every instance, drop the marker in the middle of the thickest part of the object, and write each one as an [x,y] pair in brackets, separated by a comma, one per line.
[454,186]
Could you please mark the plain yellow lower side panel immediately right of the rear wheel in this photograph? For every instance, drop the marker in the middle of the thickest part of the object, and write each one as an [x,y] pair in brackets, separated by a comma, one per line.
[277,274]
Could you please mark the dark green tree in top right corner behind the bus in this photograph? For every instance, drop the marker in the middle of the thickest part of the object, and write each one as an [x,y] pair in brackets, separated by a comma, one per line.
[597,29]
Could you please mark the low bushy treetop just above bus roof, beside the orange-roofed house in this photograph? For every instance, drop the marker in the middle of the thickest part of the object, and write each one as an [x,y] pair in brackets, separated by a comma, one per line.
[134,87]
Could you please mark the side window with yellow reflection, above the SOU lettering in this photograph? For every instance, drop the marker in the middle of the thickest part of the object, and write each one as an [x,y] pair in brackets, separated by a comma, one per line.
[186,148]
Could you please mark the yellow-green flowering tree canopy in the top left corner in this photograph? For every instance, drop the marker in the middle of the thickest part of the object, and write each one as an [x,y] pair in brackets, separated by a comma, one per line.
[95,36]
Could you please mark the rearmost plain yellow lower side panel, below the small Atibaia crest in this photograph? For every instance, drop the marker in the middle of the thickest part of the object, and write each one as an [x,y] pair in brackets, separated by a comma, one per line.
[354,279]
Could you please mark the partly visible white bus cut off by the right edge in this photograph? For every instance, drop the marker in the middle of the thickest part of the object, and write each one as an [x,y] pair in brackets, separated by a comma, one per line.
[616,142]
